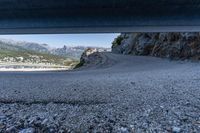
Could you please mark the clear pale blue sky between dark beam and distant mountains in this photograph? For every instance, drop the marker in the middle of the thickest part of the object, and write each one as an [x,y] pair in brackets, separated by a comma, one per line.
[58,40]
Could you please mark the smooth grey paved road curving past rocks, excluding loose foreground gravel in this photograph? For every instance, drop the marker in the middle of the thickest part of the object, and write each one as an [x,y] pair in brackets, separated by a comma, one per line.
[122,78]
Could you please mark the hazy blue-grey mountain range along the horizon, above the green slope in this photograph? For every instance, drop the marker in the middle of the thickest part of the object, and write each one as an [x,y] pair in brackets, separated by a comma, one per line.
[65,51]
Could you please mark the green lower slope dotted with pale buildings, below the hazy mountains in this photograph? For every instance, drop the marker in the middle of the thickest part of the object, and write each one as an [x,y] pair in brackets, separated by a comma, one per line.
[16,56]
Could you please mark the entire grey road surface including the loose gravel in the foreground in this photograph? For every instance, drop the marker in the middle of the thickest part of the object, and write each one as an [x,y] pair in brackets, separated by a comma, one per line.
[120,94]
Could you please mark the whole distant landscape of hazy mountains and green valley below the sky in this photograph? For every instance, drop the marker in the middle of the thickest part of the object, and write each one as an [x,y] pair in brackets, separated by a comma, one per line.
[21,54]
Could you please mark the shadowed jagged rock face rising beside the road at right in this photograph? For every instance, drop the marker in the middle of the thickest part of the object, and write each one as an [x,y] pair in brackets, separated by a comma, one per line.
[170,45]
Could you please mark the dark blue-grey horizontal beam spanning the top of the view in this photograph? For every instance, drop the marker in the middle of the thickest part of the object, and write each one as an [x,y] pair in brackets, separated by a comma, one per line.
[95,16]
